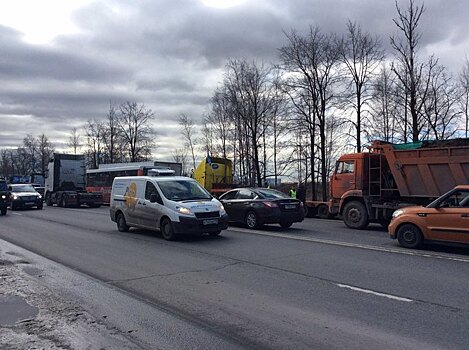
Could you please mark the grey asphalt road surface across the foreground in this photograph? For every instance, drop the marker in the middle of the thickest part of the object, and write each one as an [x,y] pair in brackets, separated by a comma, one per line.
[317,285]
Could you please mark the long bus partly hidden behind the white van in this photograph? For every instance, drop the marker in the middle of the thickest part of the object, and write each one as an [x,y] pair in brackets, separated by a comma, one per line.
[100,180]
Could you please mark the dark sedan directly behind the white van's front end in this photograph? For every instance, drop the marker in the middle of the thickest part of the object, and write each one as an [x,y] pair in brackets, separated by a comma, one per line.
[257,206]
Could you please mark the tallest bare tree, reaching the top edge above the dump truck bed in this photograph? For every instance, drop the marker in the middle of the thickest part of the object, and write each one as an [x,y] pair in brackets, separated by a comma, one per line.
[414,76]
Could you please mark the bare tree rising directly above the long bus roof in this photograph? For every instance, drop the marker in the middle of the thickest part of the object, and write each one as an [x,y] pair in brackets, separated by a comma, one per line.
[137,134]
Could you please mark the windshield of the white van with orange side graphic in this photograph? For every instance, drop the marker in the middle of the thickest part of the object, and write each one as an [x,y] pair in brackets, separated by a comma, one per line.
[183,190]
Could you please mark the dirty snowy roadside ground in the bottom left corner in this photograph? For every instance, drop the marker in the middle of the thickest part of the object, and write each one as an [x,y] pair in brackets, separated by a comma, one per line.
[59,324]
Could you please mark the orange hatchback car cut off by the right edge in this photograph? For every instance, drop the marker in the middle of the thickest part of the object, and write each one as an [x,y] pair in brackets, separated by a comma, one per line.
[446,219]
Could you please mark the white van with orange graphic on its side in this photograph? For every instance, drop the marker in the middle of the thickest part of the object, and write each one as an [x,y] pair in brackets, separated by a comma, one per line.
[173,204]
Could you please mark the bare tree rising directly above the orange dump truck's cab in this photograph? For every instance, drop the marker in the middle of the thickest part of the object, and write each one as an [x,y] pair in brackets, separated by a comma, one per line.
[361,53]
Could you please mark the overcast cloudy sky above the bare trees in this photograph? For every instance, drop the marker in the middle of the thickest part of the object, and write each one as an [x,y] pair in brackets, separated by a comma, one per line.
[62,62]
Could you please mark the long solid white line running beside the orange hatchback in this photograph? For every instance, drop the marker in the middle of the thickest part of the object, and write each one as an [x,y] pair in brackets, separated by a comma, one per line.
[351,245]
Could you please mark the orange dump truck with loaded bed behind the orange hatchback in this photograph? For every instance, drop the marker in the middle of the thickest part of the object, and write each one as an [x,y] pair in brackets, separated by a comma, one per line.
[367,187]
